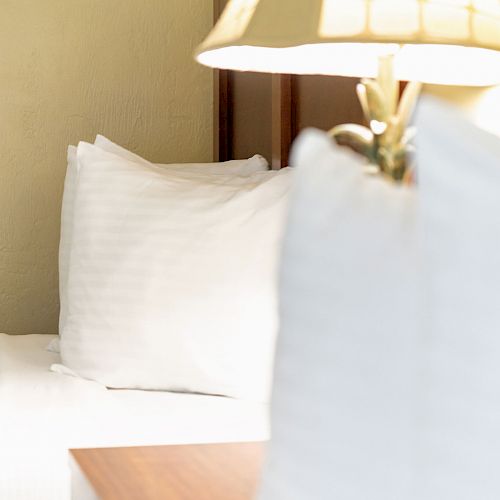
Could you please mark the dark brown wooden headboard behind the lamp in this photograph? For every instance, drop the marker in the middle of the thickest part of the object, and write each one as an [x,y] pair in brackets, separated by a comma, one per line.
[260,113]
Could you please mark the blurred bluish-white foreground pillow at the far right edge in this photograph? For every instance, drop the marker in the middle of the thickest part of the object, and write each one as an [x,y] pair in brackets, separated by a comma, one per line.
[460,196]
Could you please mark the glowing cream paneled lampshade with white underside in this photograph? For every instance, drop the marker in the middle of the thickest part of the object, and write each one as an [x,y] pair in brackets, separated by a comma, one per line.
[455,42]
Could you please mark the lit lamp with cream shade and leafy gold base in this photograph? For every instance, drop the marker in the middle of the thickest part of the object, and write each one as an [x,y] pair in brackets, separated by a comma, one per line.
[454,42]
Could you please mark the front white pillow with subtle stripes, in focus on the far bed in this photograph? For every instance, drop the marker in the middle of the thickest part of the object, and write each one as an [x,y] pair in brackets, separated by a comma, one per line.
[172,277]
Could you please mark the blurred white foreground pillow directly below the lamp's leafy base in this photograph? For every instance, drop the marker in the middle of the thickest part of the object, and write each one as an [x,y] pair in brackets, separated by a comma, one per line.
[344,377]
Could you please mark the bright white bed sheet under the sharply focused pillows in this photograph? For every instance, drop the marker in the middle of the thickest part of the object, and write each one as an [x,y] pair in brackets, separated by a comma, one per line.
[43,414]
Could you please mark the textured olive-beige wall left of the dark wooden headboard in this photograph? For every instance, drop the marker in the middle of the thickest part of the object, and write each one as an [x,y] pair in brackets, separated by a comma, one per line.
[70,69]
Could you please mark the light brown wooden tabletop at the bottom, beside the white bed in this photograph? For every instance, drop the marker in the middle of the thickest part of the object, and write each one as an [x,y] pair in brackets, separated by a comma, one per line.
[180,472]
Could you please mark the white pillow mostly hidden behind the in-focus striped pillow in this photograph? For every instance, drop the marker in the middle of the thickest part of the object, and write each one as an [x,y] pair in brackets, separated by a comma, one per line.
[237,167]
